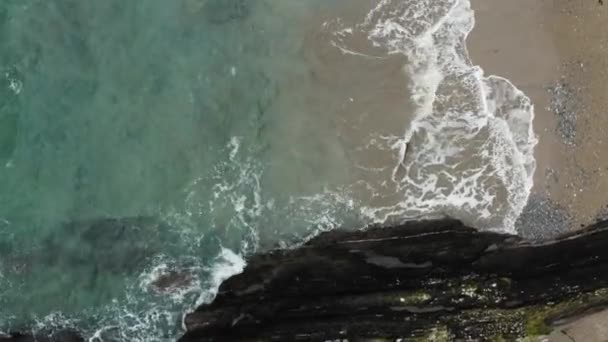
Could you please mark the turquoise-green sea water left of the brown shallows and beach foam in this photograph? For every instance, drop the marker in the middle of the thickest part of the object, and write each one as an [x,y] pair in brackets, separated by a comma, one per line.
[159,109]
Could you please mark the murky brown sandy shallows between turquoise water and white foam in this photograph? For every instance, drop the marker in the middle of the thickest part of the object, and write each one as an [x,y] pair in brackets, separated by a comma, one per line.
[351,96]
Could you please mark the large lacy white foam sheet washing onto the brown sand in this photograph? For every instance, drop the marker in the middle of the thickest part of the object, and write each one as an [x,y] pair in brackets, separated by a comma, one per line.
[470,144]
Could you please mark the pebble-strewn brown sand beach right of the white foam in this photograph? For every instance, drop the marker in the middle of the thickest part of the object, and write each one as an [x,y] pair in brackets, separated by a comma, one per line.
[556,51]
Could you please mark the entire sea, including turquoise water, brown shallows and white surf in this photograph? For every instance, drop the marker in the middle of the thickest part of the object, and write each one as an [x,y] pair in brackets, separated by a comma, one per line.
[222,127]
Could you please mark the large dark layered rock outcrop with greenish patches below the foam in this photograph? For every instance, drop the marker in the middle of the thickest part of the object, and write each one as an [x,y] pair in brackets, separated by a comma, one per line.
[437,281]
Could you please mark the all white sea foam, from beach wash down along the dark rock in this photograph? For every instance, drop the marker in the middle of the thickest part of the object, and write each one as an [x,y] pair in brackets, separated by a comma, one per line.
[467,153]
